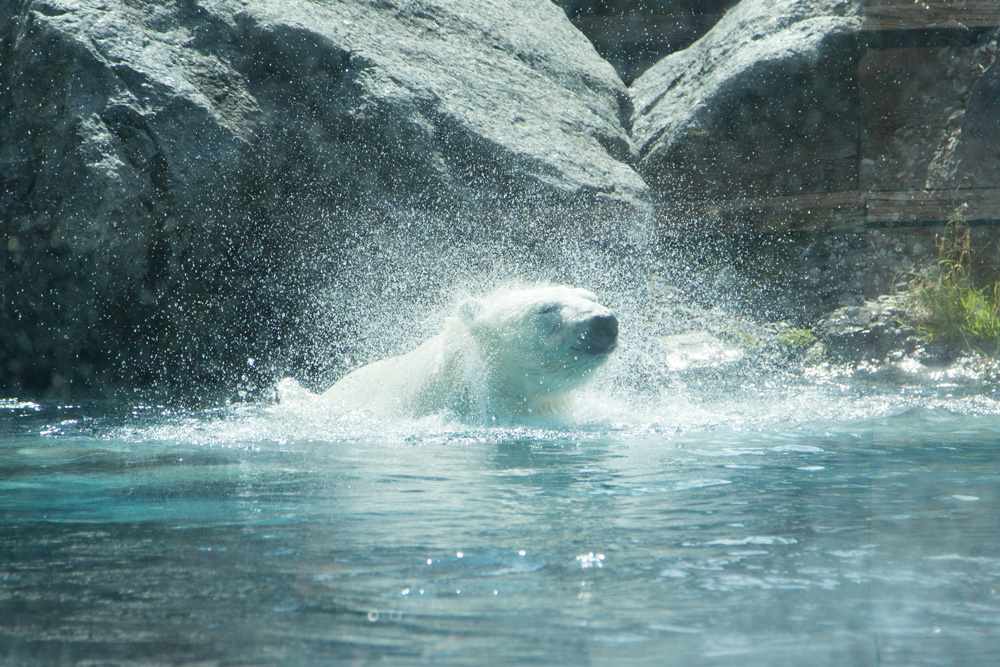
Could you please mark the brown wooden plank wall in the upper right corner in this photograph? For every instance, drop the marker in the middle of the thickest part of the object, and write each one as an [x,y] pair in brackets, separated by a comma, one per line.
[910,89]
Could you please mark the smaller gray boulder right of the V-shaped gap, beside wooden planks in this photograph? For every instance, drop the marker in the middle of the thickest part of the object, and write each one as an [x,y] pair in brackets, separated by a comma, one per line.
[764,104]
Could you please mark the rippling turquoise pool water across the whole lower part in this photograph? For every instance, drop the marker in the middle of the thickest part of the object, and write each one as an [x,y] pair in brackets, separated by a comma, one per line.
[826,523]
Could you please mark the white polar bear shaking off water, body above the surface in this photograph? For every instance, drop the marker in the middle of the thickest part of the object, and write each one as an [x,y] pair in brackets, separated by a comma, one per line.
[513,353]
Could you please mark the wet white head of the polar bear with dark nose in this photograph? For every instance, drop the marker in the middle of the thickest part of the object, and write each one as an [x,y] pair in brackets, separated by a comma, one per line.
[543,340]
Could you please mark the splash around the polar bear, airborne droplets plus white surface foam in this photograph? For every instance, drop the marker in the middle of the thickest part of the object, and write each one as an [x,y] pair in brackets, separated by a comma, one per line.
[680,364]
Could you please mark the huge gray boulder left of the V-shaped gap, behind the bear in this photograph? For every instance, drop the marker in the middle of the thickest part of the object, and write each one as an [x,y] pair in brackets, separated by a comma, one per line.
[170,172]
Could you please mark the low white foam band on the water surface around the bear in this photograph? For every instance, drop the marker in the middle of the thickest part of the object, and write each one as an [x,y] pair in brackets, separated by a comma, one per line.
[606,407]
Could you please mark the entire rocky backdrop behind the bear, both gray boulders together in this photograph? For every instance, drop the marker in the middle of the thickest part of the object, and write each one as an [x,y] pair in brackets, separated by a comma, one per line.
[184,185]
